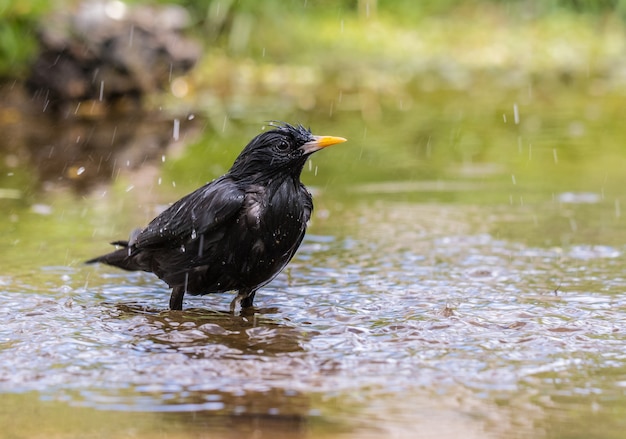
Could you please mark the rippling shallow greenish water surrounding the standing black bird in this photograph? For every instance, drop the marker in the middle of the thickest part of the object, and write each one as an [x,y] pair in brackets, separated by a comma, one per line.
[462,277]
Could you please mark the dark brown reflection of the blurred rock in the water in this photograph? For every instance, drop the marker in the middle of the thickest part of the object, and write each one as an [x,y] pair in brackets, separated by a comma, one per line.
[91,145]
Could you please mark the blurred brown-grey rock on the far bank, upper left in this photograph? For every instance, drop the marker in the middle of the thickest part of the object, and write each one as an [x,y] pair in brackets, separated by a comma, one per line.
[108,50]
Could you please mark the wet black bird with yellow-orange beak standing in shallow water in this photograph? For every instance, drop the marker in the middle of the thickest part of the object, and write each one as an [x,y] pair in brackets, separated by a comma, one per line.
[235,233]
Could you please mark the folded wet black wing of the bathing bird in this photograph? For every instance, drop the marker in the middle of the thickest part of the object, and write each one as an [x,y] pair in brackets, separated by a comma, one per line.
[193,215]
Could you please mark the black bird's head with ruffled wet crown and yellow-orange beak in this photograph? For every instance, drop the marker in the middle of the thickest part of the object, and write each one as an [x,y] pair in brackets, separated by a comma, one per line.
[283,149]
